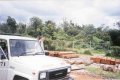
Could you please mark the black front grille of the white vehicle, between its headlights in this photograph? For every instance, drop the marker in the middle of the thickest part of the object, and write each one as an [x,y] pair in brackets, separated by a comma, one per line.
[57,74]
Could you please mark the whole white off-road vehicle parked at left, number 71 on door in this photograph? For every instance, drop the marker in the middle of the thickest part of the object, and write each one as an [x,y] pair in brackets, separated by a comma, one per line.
[21,58]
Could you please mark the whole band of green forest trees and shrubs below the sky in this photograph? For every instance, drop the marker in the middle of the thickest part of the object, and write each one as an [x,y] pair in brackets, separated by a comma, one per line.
[67,35]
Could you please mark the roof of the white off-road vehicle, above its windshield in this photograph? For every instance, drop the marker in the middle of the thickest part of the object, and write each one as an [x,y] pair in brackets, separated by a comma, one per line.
[7,37]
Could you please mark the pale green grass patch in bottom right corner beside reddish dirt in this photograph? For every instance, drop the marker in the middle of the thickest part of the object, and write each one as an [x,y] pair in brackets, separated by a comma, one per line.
[106,74]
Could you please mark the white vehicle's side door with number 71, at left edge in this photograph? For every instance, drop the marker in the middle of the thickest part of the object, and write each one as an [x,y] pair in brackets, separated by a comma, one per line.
[3,63]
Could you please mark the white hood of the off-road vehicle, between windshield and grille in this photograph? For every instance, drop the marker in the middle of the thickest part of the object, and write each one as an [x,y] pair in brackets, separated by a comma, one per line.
[40,62]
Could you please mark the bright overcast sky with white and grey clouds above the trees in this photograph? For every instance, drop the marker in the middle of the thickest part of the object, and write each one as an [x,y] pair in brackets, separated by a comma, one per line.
[95,12]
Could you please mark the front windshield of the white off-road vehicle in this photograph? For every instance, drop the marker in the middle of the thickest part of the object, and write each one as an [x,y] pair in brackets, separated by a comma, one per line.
[25,47]
